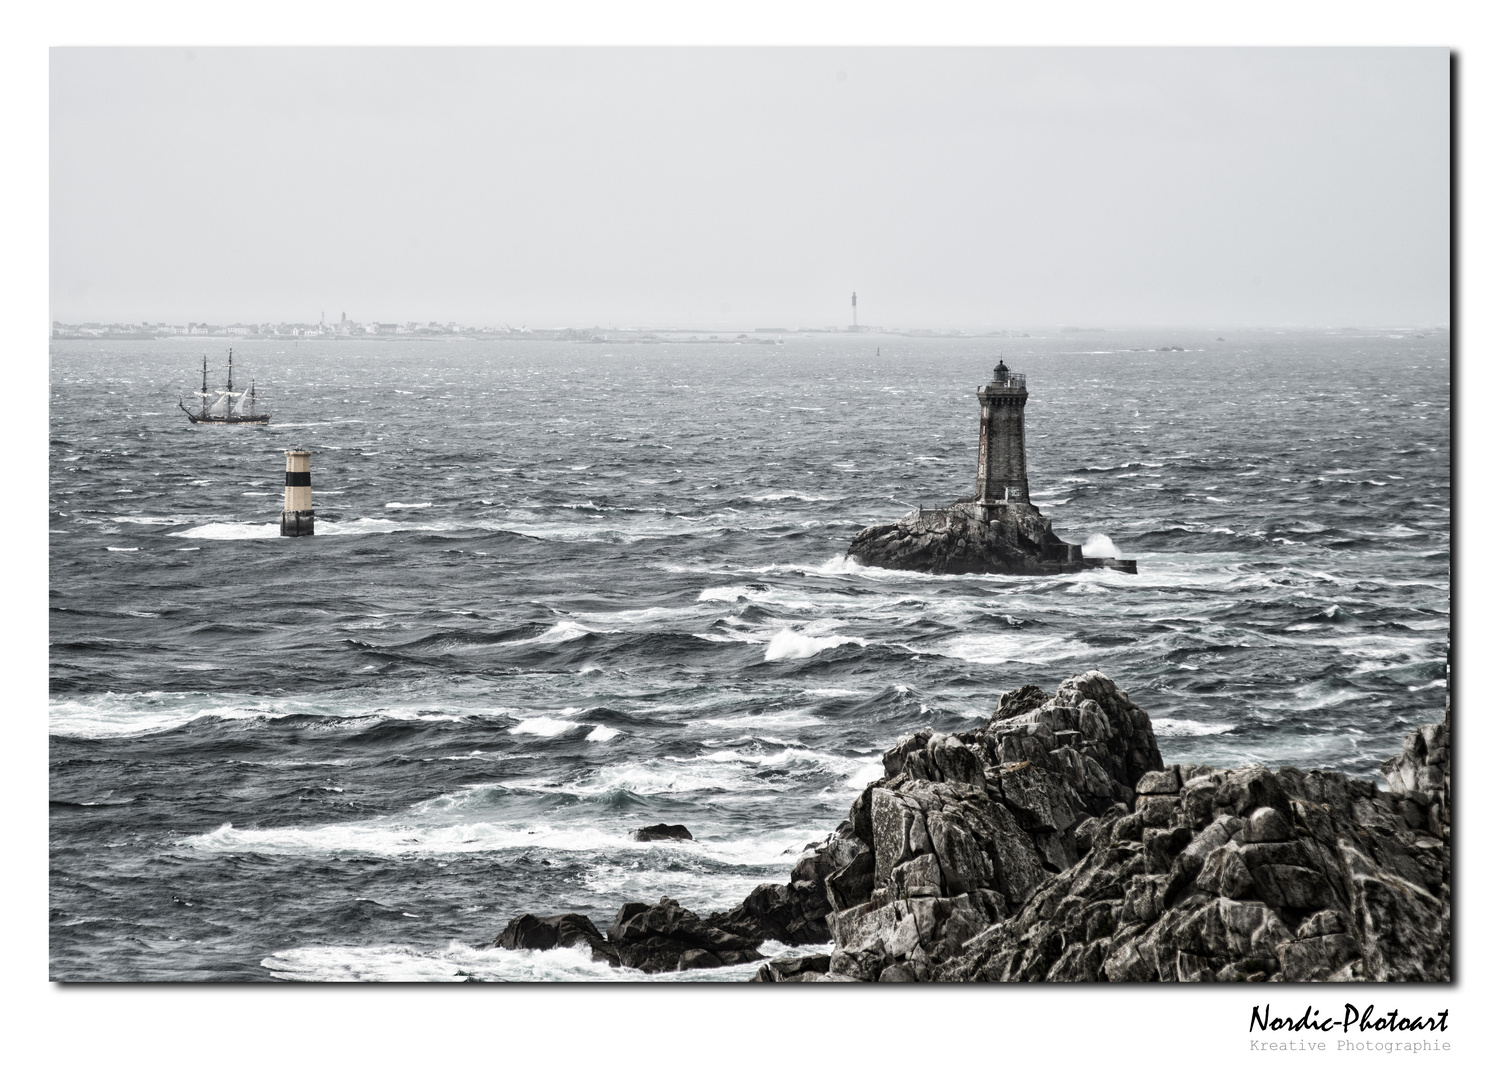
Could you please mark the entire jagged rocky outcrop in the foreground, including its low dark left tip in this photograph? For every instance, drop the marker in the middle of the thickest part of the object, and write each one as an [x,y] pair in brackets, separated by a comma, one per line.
[1055,845]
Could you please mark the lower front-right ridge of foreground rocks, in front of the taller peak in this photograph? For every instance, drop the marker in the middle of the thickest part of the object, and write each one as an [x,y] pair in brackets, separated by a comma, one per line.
[1216,901]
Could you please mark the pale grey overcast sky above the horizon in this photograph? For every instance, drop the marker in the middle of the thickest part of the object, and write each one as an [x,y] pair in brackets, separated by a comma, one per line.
[752,188]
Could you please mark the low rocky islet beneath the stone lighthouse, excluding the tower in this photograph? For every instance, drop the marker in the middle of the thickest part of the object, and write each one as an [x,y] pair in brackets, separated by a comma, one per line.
[977,538]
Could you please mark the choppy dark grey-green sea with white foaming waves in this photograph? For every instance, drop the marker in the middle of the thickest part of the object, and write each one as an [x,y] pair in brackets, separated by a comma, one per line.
[566,590]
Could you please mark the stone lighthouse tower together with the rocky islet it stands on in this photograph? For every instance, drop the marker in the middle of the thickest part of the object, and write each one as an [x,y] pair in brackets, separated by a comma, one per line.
[996,530]
